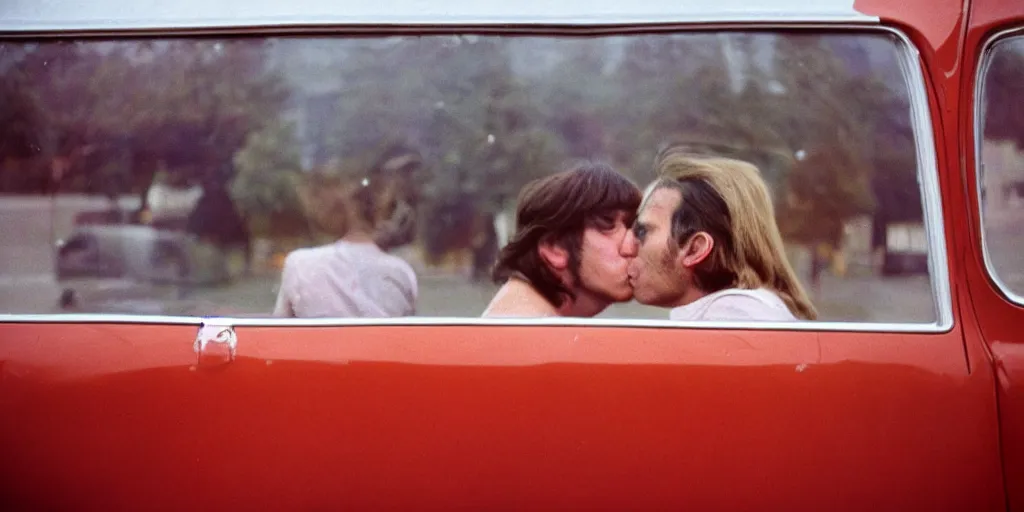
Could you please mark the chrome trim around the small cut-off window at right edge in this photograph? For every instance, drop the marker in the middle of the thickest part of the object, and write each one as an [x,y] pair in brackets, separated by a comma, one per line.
[979,136]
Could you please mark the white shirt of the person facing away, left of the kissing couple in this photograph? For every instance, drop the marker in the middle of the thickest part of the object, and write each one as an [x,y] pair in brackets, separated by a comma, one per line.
[347,280]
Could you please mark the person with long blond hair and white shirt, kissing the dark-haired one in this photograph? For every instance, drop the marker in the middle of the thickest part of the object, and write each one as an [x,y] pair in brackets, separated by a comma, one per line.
[707,244]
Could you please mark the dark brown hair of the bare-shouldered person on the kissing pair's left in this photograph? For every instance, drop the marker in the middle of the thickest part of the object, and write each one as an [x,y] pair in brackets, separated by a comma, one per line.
[558,209]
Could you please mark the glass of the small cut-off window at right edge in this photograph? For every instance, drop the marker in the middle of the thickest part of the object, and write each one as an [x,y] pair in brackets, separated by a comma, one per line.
[1002,162]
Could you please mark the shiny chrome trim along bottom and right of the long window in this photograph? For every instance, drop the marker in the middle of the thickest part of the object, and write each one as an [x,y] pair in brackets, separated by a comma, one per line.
[931,202]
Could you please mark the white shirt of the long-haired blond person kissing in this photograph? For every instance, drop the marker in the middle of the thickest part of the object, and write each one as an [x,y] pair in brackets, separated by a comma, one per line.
[736,305]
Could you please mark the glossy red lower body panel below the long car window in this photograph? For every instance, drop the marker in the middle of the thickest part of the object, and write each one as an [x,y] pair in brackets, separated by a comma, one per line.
[456,416]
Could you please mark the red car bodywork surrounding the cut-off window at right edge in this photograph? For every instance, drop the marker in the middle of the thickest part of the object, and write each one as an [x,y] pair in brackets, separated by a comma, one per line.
[992,126]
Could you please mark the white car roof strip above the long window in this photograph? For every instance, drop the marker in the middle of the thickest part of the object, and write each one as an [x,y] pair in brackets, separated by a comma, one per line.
[36,16]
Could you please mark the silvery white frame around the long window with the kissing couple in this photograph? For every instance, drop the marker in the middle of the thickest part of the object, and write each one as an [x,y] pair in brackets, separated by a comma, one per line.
[927,179]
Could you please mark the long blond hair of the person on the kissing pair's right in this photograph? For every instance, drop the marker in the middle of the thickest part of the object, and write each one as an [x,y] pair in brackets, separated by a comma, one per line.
[755,257]
